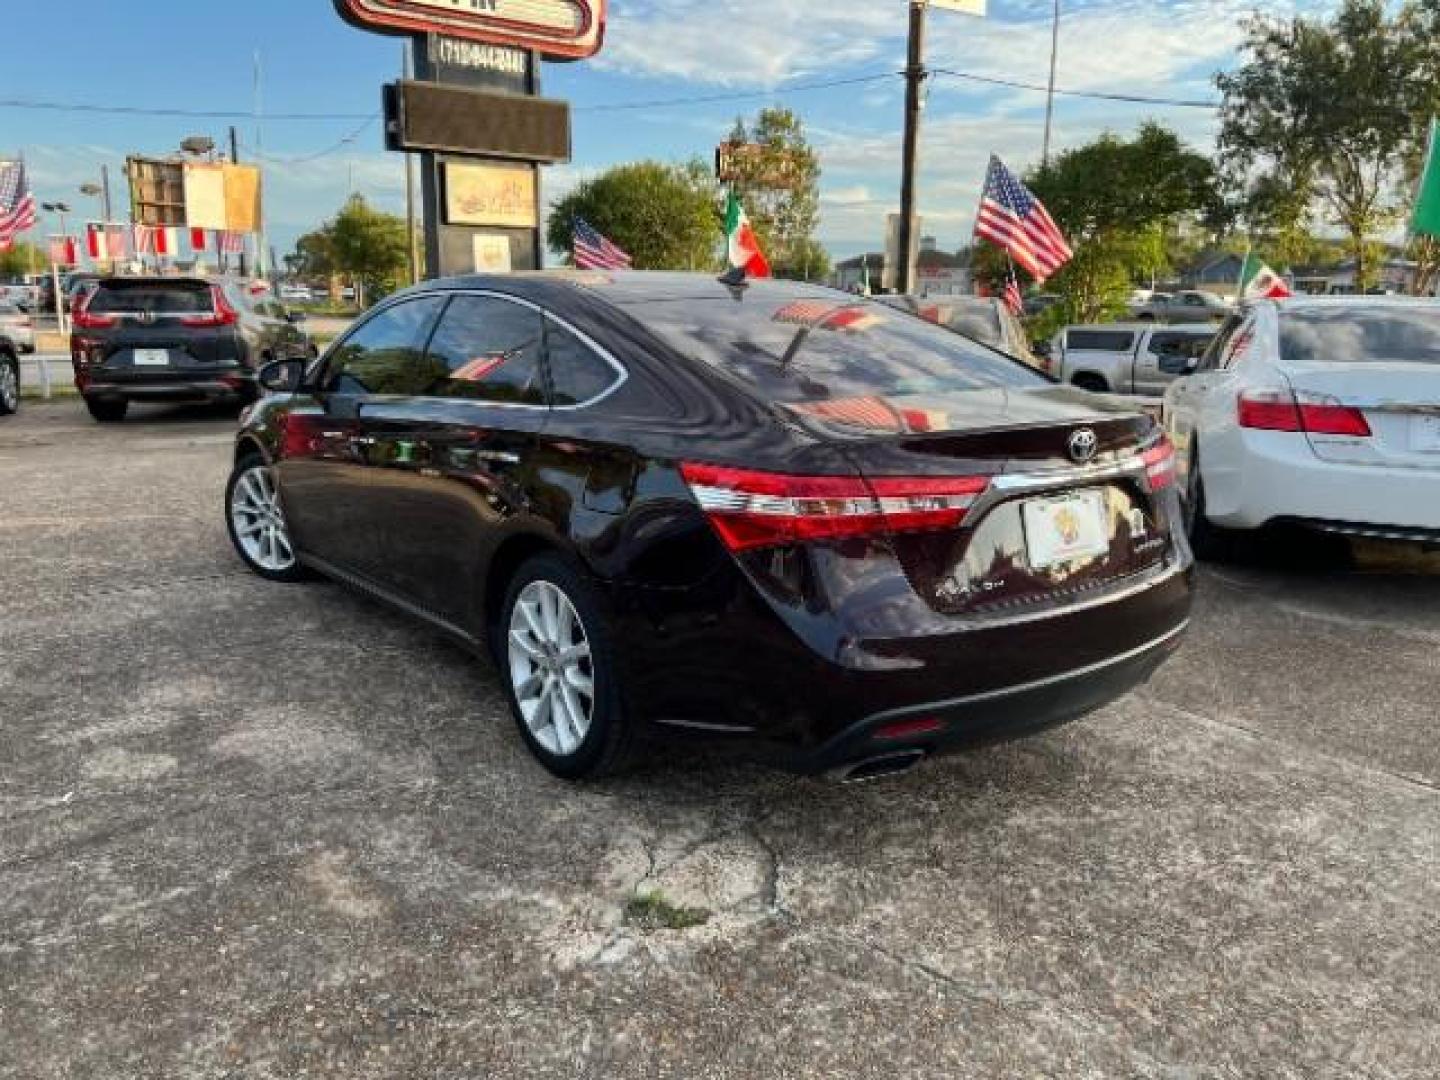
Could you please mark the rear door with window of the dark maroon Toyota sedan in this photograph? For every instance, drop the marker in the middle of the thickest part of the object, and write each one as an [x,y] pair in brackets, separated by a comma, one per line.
[456,459]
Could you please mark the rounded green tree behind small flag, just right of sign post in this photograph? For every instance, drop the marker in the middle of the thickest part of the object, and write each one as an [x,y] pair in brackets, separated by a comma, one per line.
[663,215]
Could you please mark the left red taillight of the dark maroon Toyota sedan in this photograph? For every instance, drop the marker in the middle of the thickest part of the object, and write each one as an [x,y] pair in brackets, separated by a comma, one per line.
[751,509]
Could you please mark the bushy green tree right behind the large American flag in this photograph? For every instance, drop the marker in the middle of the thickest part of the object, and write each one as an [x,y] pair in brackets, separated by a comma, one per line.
[1121,231]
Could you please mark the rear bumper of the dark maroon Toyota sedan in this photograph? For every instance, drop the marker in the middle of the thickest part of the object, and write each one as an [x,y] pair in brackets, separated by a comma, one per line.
[750,682]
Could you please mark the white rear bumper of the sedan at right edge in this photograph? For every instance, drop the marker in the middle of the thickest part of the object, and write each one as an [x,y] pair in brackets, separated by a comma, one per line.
[1281,477]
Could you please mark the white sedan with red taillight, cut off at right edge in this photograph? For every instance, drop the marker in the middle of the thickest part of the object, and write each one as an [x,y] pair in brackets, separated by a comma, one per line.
[1317,413]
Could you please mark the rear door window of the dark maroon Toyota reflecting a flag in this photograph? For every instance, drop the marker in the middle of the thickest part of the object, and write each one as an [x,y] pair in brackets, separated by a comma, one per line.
[487,351]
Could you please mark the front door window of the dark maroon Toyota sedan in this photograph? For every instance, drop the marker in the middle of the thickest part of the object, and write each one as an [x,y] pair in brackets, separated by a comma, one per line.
[387,354]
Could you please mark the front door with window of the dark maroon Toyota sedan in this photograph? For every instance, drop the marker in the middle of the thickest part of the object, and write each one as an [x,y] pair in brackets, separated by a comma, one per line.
[328,473]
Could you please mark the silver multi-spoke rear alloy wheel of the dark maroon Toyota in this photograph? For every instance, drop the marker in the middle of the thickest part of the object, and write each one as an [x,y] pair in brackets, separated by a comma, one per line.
[551,669]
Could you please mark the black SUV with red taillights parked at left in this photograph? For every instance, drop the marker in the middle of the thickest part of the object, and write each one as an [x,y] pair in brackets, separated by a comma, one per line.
[176,341]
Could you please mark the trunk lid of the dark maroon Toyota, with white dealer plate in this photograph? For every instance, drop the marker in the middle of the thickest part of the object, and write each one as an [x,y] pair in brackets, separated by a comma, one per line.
[1068,506]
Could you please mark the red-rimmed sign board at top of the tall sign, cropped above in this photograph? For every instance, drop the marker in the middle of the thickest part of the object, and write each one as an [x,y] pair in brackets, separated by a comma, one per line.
[559,30]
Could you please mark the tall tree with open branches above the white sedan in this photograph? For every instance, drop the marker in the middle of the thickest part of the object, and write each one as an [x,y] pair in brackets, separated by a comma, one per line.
[1323,117]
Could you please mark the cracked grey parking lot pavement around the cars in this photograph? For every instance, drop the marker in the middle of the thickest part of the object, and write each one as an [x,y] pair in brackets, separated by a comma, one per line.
[267,832]
